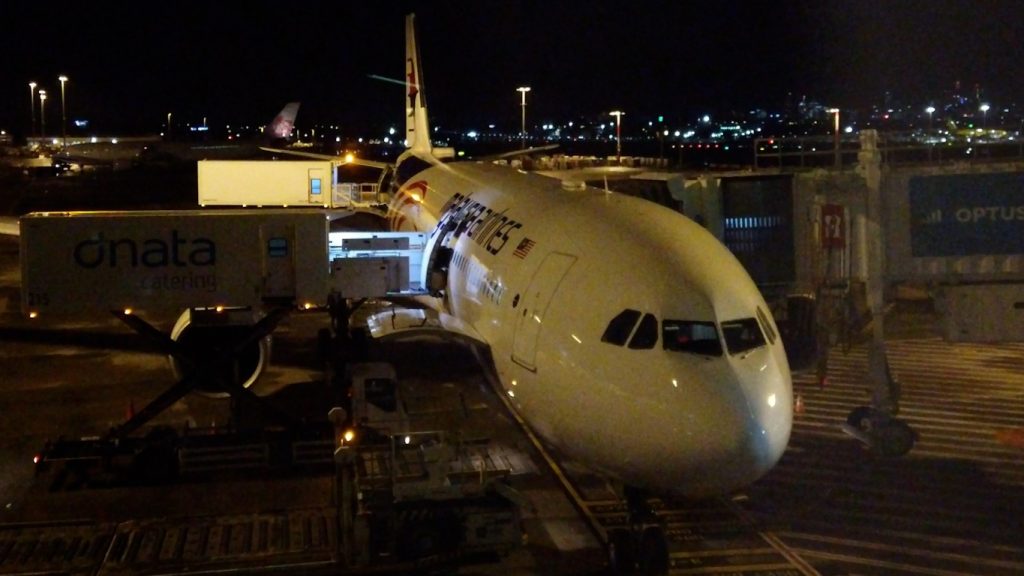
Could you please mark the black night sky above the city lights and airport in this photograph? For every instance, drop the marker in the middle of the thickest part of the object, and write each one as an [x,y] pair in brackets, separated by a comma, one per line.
[133,63]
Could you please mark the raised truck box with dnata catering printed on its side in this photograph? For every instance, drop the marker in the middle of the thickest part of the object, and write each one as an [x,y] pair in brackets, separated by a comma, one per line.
[90,263]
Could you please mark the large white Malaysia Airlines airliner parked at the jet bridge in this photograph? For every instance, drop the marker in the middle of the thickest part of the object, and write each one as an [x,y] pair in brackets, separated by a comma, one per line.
[623,334]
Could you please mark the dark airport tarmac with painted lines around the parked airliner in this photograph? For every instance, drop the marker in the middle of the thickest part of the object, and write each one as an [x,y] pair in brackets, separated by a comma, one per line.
[954,506]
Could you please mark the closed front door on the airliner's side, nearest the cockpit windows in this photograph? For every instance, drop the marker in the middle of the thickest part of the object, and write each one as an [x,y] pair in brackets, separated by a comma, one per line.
[535,306]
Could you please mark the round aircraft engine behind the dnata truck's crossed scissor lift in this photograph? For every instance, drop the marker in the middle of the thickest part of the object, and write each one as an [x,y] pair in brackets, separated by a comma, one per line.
[210,335]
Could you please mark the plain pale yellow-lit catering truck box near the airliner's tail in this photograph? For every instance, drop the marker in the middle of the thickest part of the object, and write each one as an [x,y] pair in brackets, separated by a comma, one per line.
[268,183]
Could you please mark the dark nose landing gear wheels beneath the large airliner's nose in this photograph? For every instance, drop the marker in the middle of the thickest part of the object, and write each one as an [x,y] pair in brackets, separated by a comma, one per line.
[643,548]
